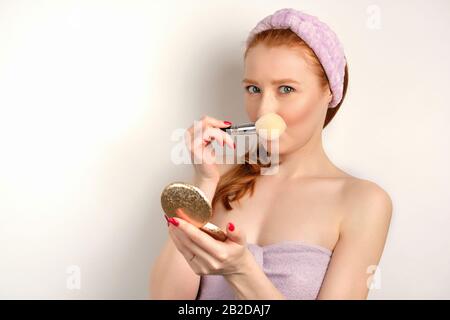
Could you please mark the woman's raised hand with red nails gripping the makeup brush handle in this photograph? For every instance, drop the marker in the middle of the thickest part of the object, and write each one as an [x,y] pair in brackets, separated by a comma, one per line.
[200,146]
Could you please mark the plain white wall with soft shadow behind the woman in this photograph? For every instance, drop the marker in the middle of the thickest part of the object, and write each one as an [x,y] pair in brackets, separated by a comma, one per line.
[90,92]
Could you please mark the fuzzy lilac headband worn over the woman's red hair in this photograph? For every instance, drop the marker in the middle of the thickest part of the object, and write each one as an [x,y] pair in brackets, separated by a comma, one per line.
[320,38]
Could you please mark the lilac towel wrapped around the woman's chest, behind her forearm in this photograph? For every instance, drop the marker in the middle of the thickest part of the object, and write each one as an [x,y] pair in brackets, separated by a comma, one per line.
[297,269]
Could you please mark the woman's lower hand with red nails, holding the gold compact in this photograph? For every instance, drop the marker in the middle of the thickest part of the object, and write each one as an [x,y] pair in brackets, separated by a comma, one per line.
[207,255]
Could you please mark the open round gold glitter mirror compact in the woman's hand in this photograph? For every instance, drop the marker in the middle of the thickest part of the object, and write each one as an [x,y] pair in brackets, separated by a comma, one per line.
[188,202]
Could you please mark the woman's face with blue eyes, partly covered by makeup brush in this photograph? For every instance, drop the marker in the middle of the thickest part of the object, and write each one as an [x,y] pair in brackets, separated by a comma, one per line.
[283,81]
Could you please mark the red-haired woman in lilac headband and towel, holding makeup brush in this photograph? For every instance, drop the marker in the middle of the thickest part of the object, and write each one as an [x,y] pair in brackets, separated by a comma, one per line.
[310,231]
